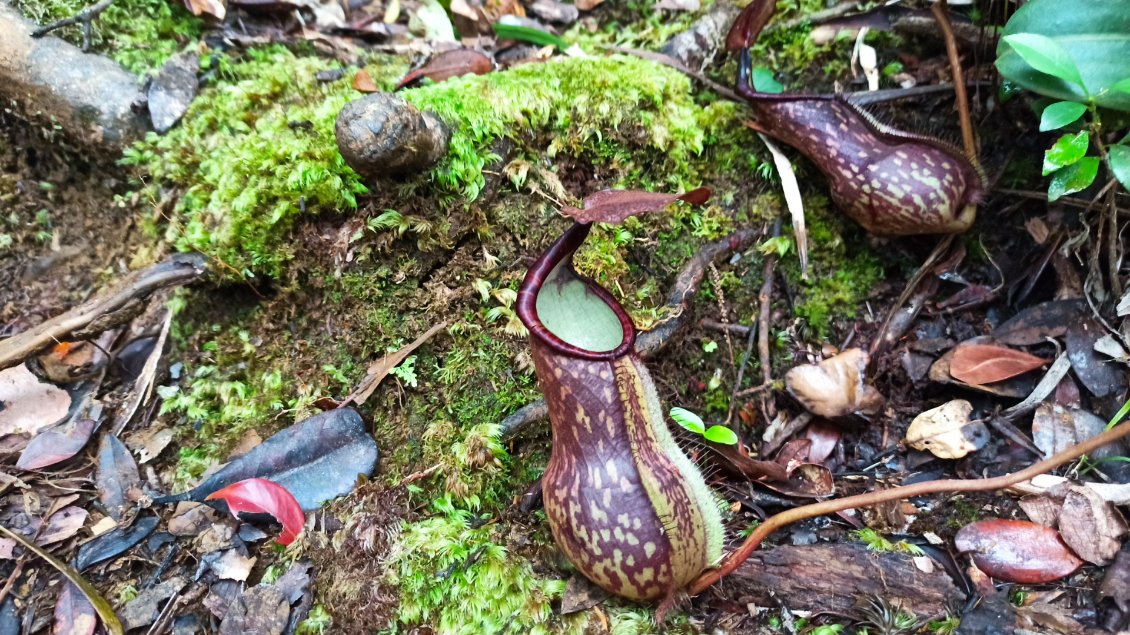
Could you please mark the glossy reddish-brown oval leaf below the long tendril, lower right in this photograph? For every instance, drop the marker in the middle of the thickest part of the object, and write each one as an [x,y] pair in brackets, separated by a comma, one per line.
[1019,552]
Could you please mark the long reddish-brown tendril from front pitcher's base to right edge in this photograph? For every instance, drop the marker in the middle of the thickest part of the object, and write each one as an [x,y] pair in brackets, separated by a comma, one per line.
[789,517]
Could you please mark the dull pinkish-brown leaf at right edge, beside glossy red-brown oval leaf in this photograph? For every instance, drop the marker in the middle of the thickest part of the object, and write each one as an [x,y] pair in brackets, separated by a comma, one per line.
[1091,526]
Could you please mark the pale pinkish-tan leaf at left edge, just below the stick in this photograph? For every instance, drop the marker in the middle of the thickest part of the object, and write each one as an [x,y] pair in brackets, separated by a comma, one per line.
[29,405]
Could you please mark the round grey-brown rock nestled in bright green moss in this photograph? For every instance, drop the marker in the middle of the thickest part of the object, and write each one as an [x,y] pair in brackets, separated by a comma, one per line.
[383,135]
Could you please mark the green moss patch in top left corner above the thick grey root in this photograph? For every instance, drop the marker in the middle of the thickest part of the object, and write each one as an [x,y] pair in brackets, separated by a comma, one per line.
[138,34]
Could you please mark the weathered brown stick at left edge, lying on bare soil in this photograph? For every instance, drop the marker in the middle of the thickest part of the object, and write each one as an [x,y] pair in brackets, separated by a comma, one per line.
[103,311]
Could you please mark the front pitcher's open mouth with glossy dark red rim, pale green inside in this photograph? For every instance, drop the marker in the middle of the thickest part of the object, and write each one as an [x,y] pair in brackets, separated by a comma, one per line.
[569,312]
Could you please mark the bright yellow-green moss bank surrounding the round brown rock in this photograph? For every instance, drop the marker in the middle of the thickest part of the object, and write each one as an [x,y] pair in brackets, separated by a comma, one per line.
[257,151]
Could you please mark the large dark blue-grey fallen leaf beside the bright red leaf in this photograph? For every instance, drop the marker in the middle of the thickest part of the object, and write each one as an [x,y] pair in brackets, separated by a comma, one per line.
[316,460]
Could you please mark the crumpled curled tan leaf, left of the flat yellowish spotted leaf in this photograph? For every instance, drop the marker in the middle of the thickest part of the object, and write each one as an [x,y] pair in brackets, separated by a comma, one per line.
[835,388]
